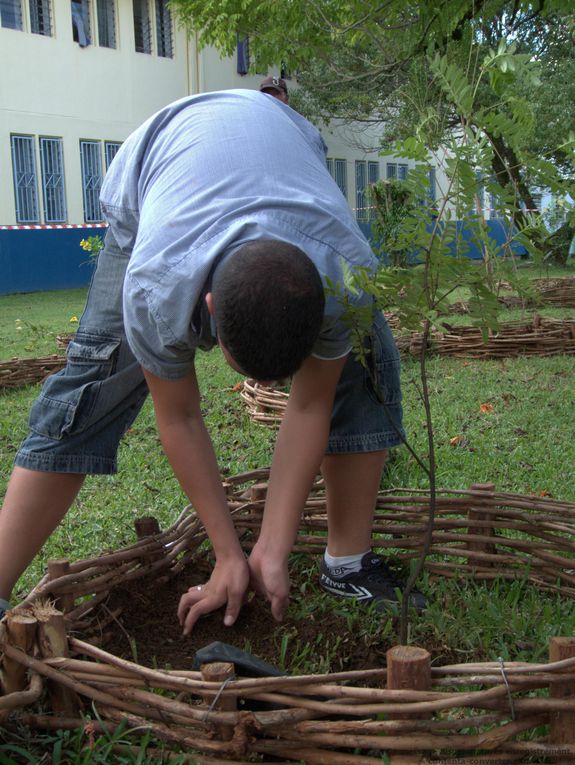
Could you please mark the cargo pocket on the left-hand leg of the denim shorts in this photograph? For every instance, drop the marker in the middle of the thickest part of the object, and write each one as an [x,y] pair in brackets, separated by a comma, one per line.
[71,400]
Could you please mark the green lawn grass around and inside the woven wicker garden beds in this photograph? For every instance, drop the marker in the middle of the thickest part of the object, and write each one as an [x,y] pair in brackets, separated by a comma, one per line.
[522,442]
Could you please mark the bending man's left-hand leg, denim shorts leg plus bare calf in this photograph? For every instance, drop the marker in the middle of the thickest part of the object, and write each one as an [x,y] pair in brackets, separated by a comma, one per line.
[76,422]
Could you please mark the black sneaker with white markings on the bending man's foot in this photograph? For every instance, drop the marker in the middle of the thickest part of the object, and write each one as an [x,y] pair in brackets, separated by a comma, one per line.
[375,583]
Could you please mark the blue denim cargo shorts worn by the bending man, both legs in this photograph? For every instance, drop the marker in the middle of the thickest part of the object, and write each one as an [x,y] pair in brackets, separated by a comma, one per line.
[83,411]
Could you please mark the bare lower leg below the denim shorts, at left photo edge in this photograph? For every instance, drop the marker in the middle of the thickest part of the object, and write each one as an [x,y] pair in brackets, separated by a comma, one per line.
[34,505]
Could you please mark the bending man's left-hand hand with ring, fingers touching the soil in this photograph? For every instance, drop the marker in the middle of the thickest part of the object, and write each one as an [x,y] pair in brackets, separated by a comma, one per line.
[227,586]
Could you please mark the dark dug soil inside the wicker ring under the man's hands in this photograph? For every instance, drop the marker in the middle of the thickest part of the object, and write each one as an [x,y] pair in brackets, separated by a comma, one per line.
[319,634]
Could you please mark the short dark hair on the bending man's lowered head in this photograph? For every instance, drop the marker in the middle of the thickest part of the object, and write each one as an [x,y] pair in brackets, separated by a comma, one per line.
[269,303]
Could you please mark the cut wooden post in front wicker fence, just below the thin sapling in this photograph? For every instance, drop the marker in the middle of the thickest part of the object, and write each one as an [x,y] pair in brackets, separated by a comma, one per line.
[408,668]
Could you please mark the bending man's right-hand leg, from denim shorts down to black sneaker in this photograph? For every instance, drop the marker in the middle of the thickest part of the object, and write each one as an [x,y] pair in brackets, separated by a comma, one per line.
[366,422]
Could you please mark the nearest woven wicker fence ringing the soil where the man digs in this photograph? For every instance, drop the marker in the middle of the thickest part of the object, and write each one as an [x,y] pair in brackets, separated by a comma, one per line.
[415,712]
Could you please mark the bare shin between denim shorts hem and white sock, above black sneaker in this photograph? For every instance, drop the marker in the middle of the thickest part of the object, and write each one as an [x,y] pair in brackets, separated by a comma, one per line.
[352,484]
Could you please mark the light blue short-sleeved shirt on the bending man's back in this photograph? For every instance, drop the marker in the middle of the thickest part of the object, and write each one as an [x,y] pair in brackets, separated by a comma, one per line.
[194,183]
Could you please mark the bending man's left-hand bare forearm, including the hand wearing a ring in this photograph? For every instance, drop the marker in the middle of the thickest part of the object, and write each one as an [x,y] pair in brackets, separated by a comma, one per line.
[189,449]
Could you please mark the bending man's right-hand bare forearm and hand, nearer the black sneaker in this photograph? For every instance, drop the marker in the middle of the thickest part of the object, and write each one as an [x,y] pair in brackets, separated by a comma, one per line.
[300,448]
